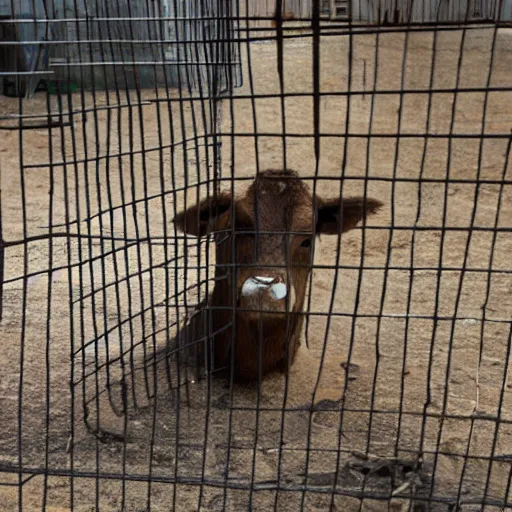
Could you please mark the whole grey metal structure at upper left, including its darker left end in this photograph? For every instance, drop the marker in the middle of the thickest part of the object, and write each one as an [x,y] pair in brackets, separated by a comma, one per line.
[127,43]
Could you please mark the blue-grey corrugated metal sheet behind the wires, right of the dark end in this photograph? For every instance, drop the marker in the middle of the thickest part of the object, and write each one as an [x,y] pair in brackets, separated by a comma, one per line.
[128,44]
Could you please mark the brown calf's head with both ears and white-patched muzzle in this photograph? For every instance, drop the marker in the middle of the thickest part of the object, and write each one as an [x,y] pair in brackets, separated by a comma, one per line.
[265,239]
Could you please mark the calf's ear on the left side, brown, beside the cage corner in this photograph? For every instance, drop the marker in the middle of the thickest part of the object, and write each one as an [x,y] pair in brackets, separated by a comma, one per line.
[199,220]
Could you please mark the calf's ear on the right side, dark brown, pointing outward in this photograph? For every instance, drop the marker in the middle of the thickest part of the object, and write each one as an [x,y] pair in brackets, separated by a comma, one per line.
[340,215]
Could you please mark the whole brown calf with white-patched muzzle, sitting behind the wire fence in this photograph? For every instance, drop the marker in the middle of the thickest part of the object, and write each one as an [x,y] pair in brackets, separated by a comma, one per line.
[264,243]
